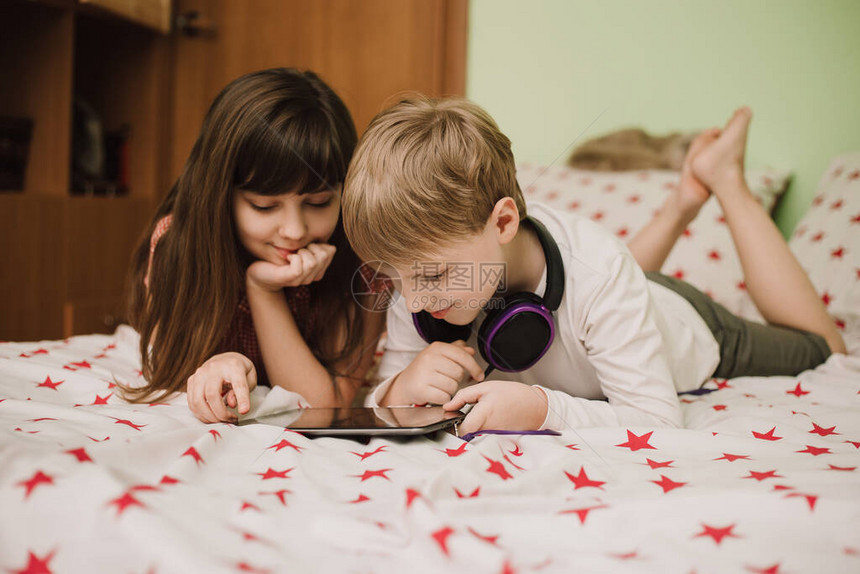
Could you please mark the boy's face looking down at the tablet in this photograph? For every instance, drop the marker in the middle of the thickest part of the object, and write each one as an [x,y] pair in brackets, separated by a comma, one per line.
[456,282]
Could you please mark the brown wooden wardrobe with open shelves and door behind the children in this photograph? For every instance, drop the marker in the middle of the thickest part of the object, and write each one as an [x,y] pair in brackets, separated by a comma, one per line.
[152,67]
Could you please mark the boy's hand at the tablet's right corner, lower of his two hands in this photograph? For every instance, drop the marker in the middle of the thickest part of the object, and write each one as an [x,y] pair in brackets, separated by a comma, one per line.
[500,405]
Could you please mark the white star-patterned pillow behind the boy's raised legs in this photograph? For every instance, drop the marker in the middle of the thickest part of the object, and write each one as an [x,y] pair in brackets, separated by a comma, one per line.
[625,201]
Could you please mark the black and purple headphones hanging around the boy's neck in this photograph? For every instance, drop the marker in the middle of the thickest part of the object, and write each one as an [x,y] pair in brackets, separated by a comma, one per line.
[516,334]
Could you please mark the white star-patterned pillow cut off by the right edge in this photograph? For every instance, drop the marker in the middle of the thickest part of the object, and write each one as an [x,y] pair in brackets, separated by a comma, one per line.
[826,241]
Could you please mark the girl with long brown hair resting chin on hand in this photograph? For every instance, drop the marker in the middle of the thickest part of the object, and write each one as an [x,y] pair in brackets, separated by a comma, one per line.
[245,273]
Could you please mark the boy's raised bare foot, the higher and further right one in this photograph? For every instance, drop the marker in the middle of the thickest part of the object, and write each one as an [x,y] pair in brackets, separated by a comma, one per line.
[721,164]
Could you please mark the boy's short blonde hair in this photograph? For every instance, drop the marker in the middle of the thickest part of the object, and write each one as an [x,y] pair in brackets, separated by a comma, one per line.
[426,173]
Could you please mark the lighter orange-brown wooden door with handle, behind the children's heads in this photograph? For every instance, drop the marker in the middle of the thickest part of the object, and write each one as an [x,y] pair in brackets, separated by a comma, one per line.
[369,51]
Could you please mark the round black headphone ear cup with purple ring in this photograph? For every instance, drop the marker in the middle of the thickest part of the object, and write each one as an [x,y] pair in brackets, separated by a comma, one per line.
[512,338]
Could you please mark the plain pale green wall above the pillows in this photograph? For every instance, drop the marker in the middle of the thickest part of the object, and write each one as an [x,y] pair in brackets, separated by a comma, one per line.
[550,70]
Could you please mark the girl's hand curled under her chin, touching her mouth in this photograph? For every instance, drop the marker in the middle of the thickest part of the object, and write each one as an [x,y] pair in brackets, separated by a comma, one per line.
[302,268]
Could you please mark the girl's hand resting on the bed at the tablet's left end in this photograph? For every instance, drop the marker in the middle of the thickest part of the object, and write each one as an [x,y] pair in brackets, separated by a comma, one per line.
[224,380]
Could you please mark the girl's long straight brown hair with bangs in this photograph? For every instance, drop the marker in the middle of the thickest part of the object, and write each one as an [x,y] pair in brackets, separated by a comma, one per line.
[272,132]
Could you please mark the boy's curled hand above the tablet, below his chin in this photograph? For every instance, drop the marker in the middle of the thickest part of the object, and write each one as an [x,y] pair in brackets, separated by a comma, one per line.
[434,375]
